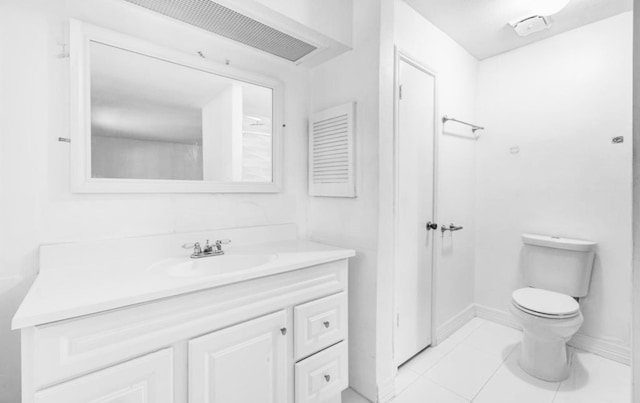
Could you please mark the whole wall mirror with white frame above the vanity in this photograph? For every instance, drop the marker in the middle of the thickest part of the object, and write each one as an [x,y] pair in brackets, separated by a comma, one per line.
[150,119]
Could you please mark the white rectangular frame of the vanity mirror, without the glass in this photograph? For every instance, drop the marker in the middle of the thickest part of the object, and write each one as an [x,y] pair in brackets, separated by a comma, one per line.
[81,36]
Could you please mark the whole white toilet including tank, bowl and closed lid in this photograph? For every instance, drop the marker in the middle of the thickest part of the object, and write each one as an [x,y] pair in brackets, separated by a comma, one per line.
[556,271]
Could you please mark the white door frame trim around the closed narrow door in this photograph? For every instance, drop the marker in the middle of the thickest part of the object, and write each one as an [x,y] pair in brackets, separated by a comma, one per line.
[403,56]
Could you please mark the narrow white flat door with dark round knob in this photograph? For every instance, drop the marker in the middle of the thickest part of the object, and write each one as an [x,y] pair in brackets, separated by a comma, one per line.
[414,208]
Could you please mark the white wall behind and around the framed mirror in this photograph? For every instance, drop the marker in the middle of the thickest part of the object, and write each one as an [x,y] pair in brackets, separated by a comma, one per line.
[36,205]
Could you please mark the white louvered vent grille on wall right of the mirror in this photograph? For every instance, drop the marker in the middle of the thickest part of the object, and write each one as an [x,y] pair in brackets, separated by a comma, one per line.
[331,152]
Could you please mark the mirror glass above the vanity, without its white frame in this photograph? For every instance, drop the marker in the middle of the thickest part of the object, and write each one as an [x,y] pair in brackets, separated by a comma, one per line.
[155,119]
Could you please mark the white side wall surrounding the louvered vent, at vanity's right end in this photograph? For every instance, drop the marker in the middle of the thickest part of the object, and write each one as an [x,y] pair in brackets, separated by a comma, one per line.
[347,222]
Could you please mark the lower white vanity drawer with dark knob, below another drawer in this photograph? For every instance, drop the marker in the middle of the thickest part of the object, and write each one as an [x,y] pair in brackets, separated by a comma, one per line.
[322,376]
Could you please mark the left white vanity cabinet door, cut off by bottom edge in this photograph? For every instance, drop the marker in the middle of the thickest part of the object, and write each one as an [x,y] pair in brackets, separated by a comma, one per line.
[142,380]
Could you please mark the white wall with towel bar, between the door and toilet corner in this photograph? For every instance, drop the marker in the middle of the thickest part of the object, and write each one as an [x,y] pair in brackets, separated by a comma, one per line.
[456,72]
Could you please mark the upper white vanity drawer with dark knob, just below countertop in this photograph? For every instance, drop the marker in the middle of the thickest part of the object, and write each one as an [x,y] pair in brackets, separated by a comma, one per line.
[319,324]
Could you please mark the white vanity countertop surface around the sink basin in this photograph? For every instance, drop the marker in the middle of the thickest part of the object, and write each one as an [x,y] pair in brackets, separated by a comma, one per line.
[79,290]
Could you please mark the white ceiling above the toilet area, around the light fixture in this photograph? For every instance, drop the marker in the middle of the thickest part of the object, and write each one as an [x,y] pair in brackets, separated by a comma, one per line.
[481,26]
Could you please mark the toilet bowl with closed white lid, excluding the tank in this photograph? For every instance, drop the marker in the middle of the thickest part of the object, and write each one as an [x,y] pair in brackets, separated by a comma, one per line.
[549,319]
